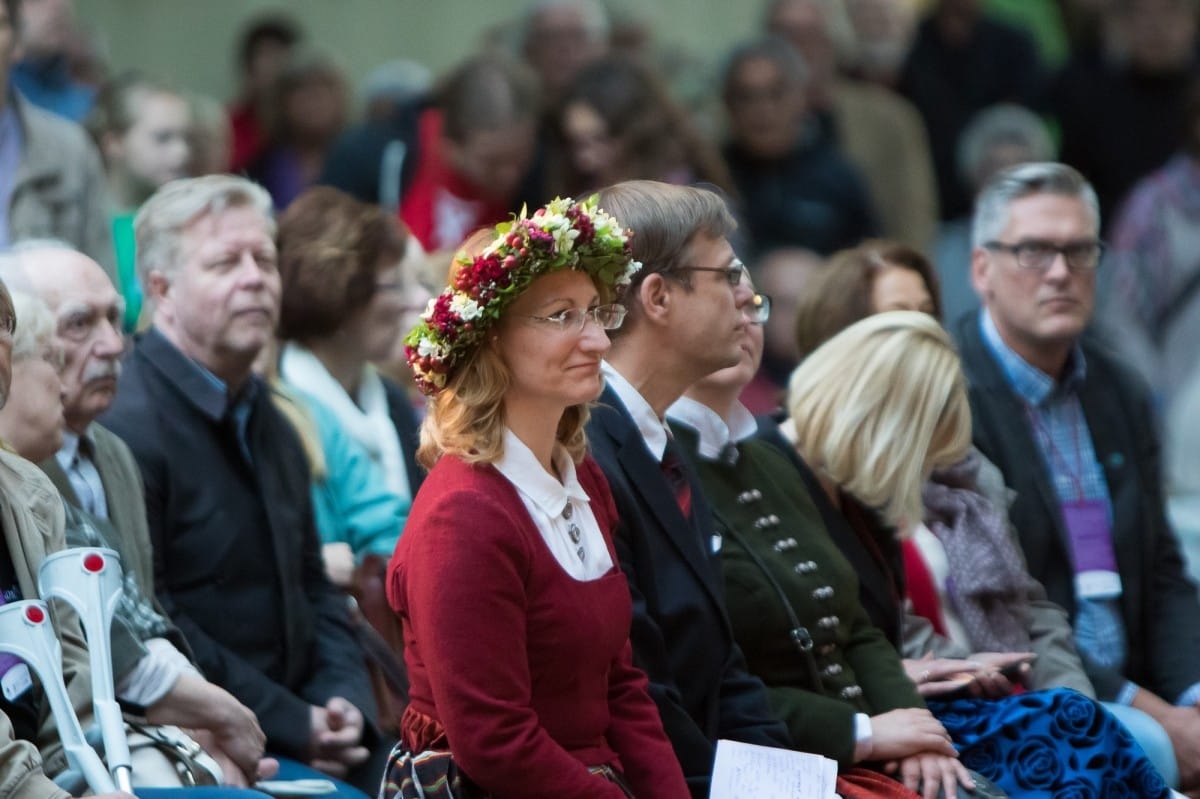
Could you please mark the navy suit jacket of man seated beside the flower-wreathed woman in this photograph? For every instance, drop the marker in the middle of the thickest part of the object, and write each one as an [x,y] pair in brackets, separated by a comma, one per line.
[681,634]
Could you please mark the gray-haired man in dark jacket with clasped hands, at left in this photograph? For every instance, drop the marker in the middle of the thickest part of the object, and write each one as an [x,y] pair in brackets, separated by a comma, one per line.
[237,560]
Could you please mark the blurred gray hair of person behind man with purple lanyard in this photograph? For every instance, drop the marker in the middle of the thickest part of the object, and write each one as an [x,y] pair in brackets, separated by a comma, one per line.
[1005,125]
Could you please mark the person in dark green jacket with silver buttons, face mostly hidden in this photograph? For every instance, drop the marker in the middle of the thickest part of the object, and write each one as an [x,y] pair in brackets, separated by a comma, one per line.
[832,675]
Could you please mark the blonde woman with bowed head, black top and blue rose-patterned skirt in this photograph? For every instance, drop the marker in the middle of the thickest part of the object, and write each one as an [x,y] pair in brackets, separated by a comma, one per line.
[874,412]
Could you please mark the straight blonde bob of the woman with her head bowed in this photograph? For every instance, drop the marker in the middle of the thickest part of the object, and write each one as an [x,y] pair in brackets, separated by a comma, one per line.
[879,407]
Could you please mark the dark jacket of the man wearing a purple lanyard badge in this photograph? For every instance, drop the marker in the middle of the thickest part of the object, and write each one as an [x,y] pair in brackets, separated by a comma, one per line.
[1159,603]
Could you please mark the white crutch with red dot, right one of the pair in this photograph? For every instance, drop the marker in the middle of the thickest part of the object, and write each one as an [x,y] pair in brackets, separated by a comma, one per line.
[89,580]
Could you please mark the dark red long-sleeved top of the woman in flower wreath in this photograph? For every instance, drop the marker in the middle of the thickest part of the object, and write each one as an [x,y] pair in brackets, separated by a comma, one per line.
[529,670]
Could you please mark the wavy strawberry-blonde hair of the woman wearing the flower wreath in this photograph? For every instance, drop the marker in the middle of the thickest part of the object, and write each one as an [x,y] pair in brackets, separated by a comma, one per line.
[466,419]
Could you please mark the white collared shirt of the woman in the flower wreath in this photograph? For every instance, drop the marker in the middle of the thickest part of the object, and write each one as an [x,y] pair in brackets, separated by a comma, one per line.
[548,502]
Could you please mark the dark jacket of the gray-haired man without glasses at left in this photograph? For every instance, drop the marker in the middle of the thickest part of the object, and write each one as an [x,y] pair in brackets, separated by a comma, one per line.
[237,560]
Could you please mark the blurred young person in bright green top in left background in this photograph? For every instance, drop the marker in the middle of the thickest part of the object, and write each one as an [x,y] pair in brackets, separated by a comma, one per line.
[141,127]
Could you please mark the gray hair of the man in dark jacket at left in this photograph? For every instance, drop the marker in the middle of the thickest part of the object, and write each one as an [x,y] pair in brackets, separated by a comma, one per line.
[160,225]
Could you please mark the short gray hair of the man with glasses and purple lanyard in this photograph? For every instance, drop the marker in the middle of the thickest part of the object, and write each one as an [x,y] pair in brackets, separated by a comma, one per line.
[1028,179]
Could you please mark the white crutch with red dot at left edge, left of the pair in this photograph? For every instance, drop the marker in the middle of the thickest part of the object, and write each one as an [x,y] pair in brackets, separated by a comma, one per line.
[26,632]
